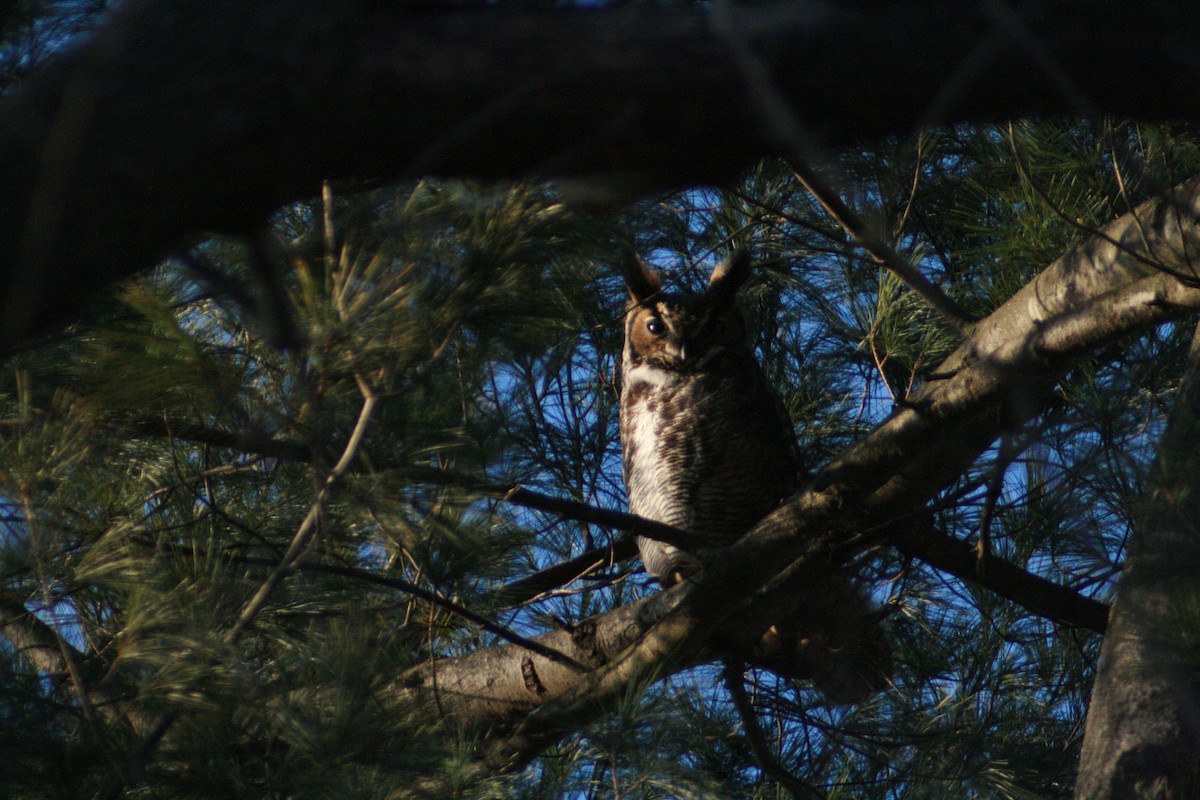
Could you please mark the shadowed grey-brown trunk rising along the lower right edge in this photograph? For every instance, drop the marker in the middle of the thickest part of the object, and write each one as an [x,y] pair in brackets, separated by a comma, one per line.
[1143,736]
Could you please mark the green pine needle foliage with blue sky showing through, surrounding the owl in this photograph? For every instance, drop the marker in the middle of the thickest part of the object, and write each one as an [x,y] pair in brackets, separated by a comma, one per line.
[158,460]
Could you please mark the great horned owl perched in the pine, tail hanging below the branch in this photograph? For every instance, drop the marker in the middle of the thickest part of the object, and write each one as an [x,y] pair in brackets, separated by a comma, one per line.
[709,449]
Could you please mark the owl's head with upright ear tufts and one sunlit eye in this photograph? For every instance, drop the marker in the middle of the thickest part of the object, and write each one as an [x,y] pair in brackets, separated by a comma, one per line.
[681,333]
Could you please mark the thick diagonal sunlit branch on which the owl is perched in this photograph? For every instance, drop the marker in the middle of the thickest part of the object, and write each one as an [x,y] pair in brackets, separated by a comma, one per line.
[1136,273]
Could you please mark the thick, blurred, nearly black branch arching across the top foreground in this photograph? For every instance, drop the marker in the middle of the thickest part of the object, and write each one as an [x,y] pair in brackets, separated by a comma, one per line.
[193,117]
